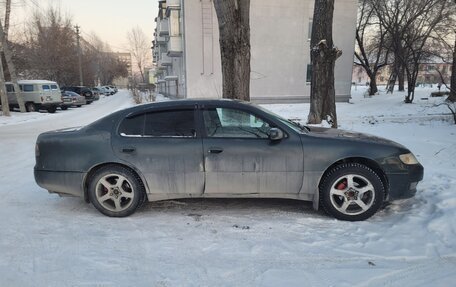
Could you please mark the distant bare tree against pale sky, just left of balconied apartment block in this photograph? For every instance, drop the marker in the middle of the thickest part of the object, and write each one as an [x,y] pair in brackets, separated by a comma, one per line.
[140,49]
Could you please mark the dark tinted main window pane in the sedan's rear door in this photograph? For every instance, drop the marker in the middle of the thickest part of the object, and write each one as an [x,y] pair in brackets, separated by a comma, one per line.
[180,123]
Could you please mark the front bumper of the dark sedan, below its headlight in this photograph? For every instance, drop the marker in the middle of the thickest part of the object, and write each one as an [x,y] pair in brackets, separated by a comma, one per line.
[403,185]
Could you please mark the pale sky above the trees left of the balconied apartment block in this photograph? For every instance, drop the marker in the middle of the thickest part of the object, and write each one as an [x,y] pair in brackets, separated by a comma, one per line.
[109,19]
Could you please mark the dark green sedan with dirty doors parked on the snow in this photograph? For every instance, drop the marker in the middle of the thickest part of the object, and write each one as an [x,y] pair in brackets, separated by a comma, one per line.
[222,149]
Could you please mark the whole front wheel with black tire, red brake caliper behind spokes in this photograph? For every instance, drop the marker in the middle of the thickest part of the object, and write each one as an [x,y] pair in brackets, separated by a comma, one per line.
[352,192]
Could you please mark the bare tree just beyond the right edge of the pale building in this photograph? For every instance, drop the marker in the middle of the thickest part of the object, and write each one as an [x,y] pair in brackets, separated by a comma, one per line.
[371,51]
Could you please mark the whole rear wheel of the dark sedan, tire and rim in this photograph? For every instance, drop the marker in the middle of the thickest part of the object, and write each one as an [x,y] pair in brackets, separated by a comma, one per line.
[116,191]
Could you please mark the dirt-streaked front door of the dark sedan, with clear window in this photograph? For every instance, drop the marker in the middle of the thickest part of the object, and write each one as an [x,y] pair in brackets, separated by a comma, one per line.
[240,159]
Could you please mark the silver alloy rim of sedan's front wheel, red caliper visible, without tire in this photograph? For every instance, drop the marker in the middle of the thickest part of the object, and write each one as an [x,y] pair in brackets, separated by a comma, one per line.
[352,194]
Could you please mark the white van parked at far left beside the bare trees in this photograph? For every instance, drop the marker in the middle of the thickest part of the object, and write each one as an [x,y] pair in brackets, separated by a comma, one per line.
[37,95]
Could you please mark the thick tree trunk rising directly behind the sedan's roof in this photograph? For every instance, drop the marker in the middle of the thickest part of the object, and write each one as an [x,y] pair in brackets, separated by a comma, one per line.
[233,18]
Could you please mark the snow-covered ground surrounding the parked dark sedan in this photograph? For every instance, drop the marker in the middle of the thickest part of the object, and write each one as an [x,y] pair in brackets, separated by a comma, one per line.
[50,241]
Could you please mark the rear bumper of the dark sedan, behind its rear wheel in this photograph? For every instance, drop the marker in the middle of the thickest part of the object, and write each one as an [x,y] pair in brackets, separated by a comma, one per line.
[63,183]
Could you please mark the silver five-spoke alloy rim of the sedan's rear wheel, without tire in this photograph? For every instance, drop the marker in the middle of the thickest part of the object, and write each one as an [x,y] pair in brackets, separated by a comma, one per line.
[114,192]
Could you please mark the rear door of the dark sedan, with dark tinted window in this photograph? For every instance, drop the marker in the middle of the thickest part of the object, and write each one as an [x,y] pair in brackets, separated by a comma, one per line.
[164,146]
